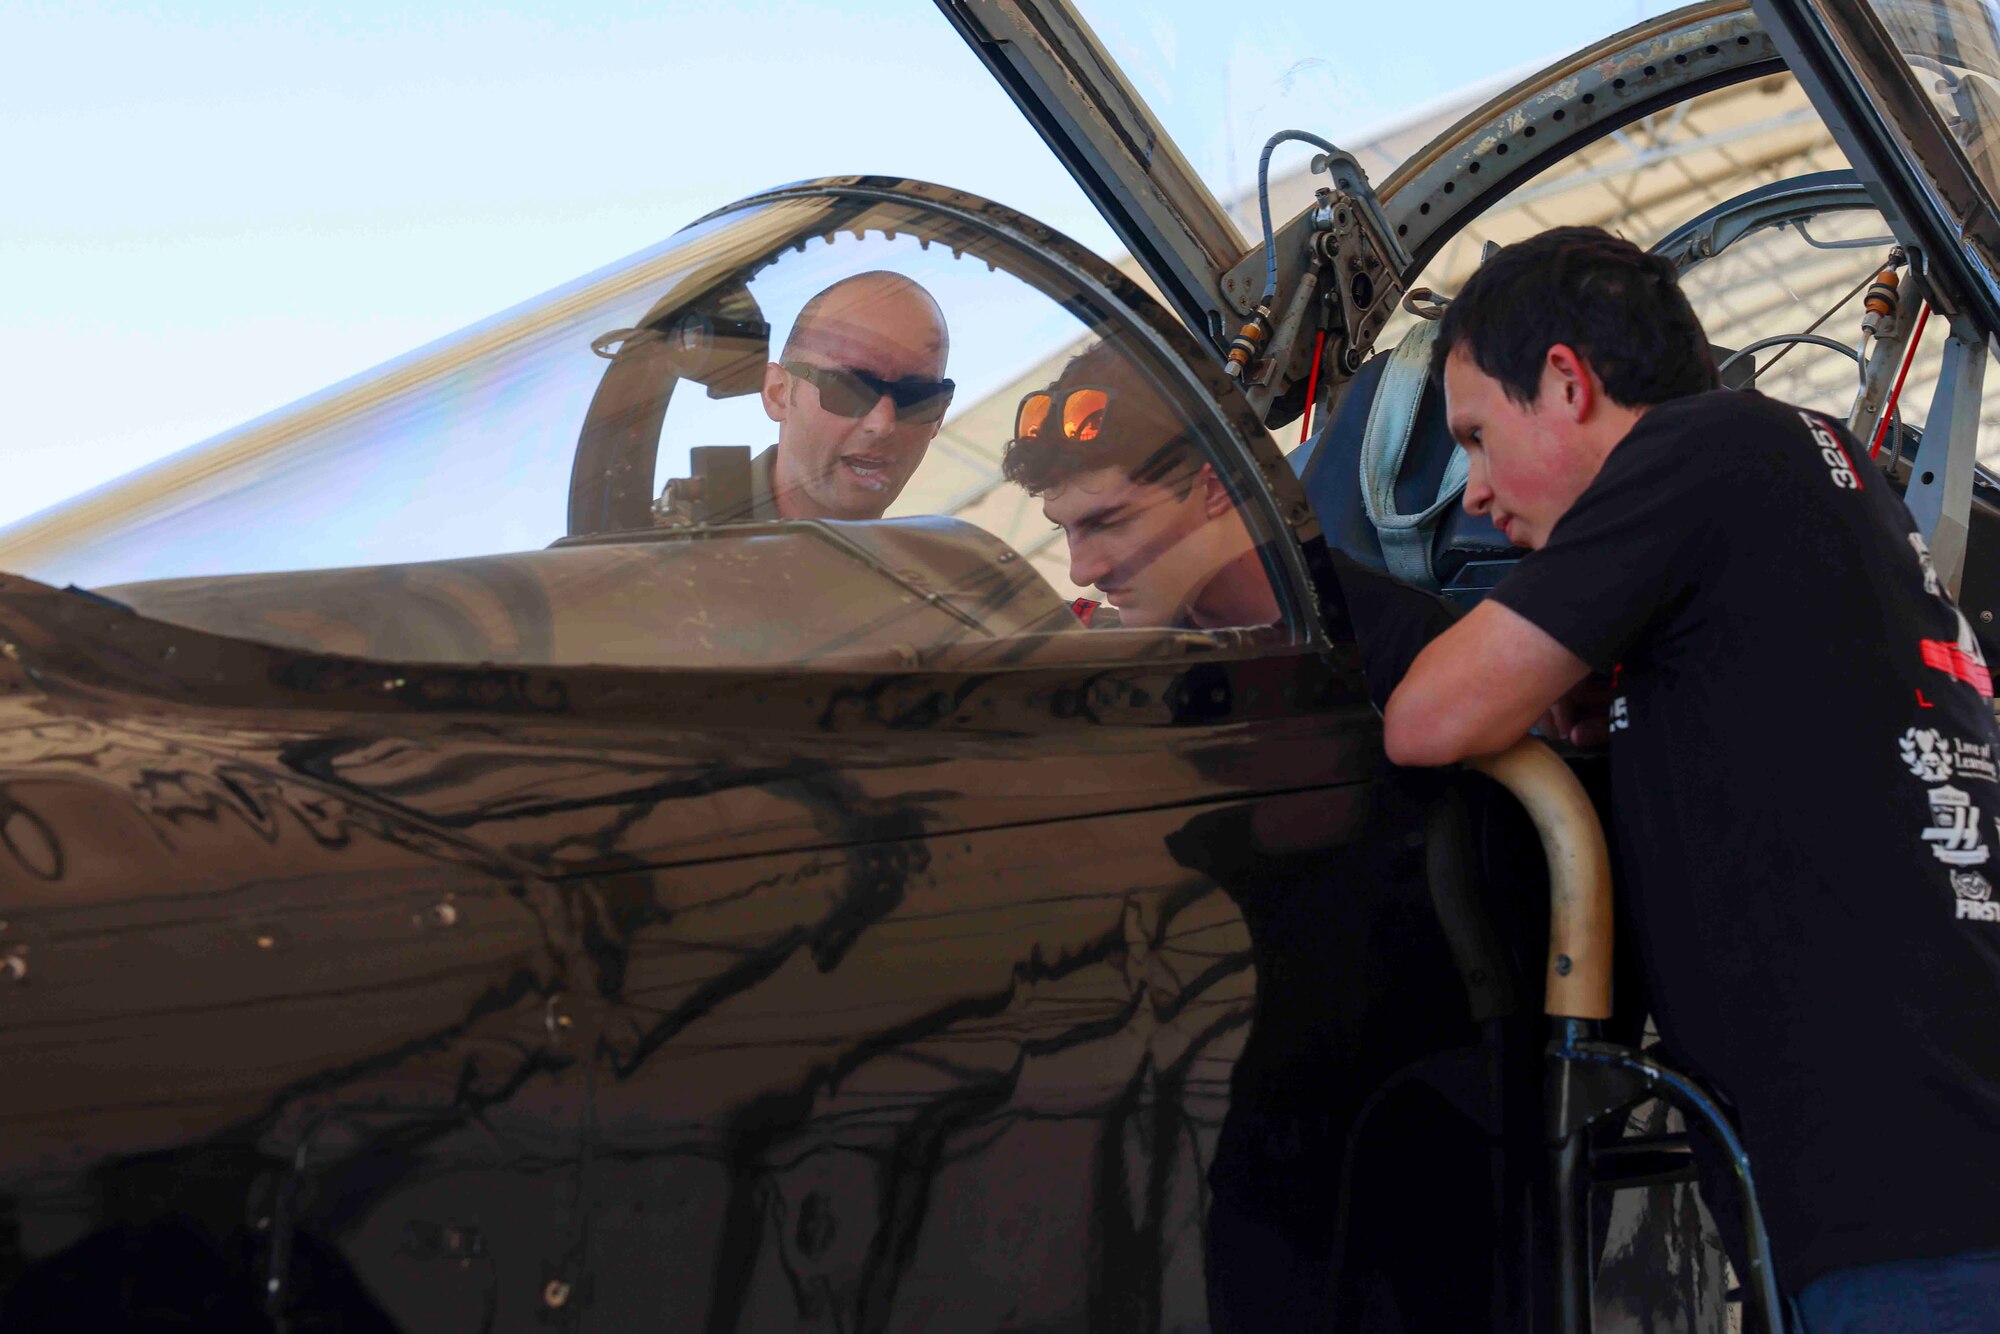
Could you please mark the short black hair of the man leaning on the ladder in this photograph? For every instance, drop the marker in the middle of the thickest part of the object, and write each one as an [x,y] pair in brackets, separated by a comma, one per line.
[1621,309]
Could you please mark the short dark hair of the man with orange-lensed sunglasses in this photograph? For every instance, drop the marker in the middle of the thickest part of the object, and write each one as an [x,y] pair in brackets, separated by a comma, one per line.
[1143,435]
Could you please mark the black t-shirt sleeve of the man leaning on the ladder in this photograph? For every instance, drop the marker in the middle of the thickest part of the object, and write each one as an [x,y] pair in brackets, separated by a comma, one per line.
[1629,551]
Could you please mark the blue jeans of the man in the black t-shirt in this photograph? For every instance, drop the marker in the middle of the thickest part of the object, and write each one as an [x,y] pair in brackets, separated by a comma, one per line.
[1959,1295]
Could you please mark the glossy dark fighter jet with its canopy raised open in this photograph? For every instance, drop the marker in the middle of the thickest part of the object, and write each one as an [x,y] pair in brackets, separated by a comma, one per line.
[621,821]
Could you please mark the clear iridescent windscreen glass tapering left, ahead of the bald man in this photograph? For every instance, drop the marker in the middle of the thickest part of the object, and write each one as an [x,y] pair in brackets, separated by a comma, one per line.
[455,449]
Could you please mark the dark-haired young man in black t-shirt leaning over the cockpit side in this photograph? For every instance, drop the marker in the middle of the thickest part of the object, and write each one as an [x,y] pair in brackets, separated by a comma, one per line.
[1805,765]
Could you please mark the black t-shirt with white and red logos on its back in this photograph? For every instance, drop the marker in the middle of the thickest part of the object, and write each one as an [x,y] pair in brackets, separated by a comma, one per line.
[1805,801]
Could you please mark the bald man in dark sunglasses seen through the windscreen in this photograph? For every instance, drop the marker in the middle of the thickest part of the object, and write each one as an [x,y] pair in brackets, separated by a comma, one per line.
[857,395]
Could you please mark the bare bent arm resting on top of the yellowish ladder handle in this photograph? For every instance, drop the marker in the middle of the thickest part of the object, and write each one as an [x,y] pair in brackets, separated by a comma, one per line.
[1477,689]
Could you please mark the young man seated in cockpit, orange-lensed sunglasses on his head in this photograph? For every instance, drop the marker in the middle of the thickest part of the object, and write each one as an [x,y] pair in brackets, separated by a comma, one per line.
[1147,519]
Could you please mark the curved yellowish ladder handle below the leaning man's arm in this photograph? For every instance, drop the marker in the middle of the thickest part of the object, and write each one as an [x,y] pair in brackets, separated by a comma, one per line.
[1579,875]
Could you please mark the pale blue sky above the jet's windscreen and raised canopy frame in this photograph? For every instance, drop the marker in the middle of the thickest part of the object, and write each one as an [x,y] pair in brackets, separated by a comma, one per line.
[213,209]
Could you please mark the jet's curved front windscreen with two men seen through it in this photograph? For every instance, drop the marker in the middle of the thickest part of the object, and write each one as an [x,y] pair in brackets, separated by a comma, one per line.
[777,441]
